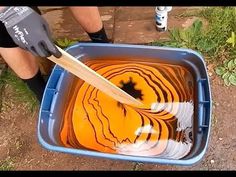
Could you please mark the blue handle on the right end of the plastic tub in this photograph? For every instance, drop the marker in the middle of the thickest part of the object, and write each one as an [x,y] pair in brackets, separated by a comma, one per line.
[203,104]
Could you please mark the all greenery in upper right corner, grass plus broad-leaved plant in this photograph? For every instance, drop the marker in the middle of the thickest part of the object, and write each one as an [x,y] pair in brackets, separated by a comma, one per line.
[213,42]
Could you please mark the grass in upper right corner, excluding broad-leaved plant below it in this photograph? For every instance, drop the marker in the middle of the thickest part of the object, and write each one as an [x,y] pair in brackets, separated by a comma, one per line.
[211,41]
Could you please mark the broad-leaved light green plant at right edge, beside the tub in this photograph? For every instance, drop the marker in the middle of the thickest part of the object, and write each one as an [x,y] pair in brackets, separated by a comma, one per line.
[227,71]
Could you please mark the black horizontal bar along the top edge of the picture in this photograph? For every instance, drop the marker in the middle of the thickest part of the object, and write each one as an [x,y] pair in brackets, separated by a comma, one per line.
[120,3]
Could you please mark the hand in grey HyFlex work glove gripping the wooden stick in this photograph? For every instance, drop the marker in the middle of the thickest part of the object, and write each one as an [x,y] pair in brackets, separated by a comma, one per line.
[29,30]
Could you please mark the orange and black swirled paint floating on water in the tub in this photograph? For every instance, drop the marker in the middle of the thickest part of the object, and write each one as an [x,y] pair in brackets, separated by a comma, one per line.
[95,121]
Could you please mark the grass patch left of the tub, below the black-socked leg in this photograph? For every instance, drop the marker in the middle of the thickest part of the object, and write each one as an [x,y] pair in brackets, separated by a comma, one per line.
[21,93]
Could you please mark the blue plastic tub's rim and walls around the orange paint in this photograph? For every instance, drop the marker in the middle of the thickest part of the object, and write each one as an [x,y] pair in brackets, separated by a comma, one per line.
[57,88]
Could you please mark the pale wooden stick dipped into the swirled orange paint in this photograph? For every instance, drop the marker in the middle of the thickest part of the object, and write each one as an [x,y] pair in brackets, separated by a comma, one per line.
[82,71]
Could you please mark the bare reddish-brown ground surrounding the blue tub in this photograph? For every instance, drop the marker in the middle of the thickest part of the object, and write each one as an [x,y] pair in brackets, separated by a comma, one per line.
[18,127]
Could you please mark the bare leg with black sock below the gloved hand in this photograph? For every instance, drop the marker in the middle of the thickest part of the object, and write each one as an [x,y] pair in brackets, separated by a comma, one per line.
[25,65]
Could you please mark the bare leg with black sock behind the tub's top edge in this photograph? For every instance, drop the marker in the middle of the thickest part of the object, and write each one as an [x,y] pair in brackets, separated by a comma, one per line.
[90,20]
